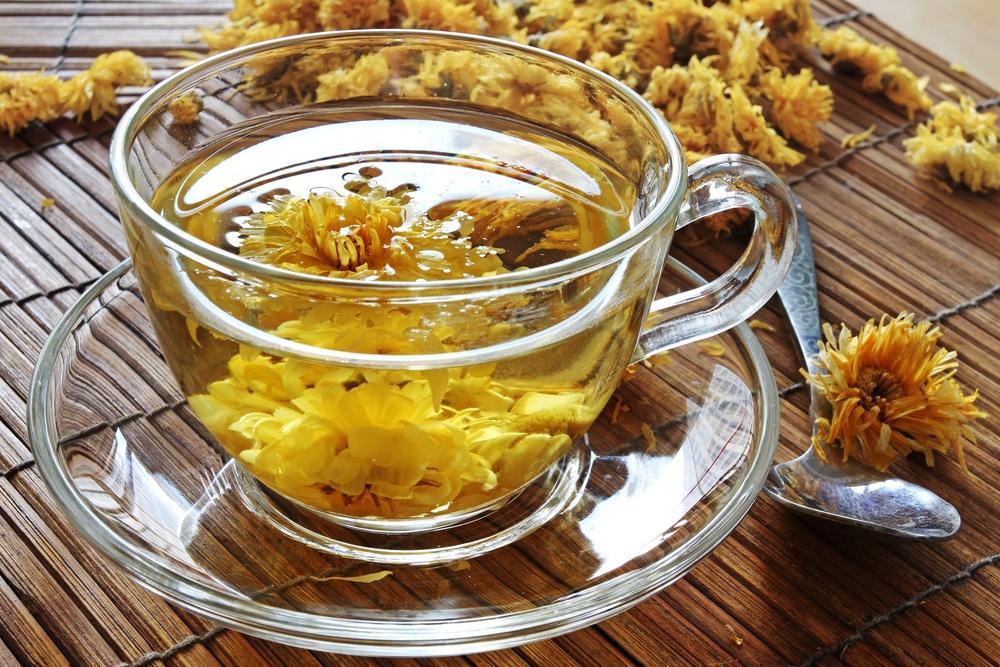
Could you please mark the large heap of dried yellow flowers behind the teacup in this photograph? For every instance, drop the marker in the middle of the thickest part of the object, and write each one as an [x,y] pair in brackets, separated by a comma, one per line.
[739,53]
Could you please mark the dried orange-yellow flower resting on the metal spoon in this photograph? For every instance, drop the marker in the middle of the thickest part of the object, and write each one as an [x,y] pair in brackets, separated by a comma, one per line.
[892,391]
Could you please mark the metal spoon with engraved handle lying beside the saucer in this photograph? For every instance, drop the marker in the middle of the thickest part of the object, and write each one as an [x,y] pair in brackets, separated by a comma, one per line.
[848,493]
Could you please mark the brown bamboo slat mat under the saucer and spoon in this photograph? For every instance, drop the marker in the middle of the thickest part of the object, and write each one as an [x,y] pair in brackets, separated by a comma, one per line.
[793,592]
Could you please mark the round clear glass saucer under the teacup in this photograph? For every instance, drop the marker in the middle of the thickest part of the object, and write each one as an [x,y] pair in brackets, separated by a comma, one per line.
[672,466]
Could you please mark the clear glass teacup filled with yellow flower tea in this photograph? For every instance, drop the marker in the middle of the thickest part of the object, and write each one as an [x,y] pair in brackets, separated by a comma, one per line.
[399,273]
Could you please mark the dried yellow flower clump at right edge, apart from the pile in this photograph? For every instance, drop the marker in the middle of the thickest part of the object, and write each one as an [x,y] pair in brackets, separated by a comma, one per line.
[958,143]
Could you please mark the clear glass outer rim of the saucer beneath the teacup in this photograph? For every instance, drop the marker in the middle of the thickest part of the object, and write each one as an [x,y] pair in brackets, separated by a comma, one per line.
[396,637]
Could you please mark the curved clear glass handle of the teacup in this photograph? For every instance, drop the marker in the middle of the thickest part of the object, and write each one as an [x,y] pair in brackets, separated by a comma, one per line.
[717,184]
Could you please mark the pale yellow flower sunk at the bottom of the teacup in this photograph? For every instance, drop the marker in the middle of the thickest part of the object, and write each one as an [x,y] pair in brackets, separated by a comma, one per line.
[376,438]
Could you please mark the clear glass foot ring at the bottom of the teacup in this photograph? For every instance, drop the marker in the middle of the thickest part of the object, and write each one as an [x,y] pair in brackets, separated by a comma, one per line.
[423,541]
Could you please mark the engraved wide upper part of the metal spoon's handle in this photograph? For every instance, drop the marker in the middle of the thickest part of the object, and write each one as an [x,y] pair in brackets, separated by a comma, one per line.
[798,292]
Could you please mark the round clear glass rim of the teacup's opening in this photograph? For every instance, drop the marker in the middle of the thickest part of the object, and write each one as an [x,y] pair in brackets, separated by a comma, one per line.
[128,196]
